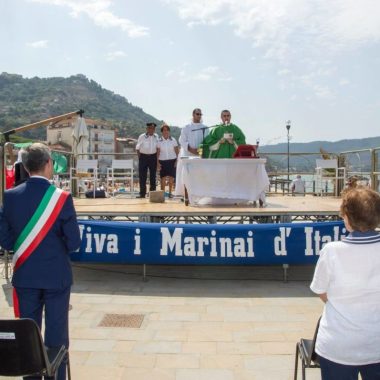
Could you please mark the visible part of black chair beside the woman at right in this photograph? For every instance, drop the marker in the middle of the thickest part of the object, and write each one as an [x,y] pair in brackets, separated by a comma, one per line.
[305,351]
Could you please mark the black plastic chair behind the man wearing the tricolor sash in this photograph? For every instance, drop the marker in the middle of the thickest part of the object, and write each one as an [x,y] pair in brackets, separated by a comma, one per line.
[23,353]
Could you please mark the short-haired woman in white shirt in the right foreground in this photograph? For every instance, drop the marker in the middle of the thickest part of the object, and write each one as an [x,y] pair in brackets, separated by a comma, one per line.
[347,279]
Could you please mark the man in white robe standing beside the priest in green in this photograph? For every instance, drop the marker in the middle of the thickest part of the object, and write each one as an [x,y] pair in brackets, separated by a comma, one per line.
[191,137]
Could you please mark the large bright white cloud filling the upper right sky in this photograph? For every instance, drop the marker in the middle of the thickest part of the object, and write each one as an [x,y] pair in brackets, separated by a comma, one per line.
[302,37]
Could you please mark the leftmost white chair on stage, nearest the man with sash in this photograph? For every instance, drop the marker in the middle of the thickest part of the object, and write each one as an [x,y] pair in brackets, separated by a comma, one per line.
[85,171]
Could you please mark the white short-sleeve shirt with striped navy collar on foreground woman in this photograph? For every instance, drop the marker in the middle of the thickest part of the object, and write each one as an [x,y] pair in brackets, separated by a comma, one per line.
[349,272]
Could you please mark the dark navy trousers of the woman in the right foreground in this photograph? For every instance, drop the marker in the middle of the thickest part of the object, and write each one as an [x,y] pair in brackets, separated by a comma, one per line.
[334,371]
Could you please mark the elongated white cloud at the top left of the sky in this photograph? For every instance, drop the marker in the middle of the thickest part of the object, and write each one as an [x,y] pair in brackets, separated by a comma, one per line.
[99,12]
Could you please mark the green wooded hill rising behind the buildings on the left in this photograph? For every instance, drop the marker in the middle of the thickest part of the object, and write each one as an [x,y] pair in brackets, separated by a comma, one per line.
[27,100]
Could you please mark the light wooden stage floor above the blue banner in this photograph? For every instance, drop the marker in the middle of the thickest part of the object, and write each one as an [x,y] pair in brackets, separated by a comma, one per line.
[279,209]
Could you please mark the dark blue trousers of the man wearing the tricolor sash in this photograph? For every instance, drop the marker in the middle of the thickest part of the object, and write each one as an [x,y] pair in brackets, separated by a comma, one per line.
[55,303]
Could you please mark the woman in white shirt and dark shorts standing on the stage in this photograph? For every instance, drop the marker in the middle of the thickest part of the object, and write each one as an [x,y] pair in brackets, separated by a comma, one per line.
[167,153]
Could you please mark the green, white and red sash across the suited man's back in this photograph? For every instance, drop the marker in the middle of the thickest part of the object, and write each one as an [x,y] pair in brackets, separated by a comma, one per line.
[39,225]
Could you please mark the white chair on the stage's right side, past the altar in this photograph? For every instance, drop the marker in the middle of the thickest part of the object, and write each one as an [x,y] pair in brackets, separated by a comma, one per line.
[328,170]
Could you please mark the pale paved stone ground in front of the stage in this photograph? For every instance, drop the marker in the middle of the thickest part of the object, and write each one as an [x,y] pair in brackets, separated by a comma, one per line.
[200,323]
